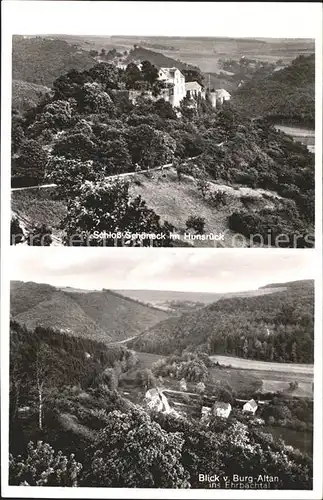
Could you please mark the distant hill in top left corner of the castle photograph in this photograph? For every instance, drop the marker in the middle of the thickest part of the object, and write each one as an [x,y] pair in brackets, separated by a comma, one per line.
[41,60]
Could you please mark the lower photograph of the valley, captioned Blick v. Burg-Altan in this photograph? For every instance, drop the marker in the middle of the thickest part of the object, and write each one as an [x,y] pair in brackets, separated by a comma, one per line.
[161,368]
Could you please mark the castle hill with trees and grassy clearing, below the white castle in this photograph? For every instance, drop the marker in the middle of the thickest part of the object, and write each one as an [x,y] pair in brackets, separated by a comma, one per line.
[240,182]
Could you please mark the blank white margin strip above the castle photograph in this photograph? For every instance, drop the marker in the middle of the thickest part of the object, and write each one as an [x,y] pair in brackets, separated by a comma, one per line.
[234,19]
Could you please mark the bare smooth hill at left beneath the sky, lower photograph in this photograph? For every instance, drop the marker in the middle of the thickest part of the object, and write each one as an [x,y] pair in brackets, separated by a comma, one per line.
[98,315]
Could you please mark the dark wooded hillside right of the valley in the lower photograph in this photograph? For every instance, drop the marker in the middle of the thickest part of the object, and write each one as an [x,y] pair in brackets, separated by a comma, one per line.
[272,327]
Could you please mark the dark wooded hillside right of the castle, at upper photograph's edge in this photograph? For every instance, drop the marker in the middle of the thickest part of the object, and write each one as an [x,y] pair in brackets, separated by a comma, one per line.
[287,95]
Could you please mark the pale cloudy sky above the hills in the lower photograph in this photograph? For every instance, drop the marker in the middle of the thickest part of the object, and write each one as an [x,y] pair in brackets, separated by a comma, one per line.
[201,270]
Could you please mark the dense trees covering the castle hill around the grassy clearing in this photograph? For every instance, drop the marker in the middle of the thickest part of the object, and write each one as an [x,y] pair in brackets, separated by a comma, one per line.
[86,128]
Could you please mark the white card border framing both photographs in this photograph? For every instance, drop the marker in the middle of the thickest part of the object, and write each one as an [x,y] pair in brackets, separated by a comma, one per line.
[289,20]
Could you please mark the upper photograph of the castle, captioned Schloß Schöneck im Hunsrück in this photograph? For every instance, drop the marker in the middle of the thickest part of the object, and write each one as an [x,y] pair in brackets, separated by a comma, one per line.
[162,141]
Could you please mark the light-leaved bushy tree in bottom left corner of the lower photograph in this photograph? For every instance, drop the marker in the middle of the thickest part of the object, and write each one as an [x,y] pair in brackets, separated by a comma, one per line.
[43,467]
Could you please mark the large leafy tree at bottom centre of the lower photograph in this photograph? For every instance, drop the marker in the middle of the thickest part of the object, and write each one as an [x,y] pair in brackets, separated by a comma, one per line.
[147,455]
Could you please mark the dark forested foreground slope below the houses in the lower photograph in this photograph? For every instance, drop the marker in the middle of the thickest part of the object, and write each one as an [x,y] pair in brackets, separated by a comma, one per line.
[75,431]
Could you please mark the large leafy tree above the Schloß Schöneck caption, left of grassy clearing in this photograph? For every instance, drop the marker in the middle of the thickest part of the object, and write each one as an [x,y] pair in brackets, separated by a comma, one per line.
[102,209]
